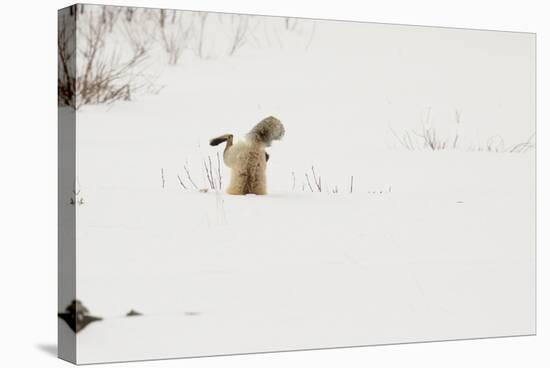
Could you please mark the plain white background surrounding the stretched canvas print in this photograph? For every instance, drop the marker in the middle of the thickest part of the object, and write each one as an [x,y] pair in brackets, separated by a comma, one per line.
[28,182]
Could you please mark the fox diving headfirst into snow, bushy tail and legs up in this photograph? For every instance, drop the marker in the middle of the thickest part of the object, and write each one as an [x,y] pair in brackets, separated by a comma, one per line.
[247,159]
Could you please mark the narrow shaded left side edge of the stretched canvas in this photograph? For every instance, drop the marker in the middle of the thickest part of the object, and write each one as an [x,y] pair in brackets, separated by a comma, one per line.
[66,277]
